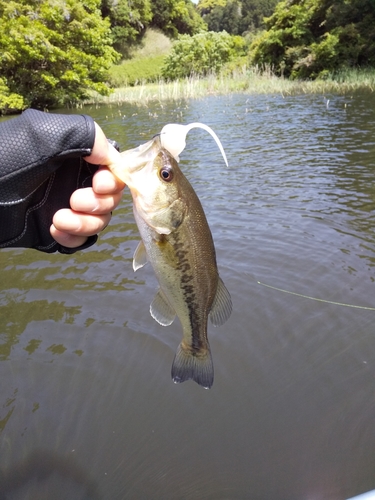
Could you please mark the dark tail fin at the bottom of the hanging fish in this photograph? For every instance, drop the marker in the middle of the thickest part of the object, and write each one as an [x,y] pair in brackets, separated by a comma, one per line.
[196,366]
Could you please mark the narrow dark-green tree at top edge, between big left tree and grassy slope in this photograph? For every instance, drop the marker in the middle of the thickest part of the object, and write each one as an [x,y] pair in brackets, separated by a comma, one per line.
[128,19]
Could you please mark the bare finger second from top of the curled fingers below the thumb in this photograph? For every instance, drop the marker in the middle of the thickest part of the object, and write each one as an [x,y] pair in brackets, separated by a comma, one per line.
[87,201]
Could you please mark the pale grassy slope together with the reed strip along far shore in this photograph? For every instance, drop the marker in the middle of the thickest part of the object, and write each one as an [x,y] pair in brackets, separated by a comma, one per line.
[138,79]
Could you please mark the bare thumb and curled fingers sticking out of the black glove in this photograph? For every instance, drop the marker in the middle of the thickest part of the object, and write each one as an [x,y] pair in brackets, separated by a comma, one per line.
[91,208]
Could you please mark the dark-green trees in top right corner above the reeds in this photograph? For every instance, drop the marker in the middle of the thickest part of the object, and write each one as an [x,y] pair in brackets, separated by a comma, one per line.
[314,38]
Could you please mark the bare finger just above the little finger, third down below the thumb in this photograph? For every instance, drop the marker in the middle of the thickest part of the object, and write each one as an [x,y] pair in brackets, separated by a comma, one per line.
[76,223]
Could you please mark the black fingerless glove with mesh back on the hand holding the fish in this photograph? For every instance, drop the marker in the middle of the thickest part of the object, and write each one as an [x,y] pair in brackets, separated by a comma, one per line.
[41,165]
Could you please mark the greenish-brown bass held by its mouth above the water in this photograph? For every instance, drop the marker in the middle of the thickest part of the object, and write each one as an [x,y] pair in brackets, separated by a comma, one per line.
[176,239]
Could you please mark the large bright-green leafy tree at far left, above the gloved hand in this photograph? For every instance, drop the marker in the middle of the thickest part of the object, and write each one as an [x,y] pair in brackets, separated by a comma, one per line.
[52,52]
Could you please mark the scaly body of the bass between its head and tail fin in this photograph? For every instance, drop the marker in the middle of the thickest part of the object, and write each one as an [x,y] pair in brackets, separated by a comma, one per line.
[184,266]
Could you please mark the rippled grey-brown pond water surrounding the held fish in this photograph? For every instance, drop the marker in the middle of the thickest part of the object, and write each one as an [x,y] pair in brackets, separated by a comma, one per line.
[87,405]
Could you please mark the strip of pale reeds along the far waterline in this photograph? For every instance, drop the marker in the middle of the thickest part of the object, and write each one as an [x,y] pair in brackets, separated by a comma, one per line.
[242,80]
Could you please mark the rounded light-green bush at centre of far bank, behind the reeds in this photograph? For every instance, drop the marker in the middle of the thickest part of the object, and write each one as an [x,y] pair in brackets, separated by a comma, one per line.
[201,54]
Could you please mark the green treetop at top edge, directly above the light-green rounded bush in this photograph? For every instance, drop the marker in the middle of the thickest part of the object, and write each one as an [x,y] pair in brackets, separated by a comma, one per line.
[176,17]
